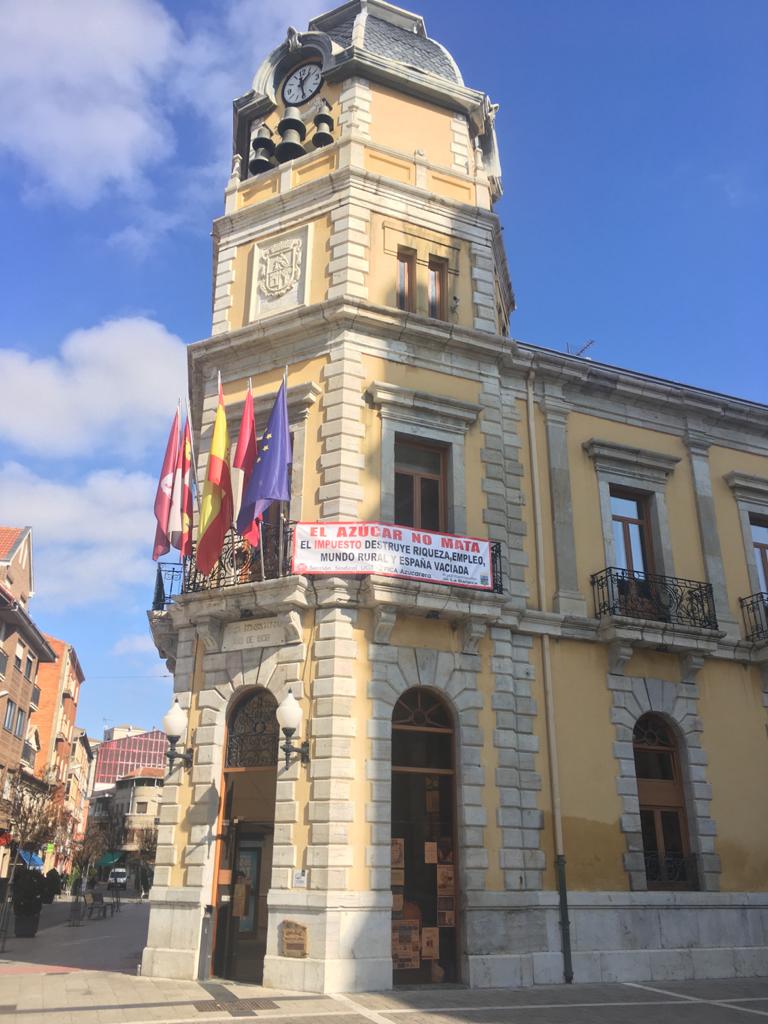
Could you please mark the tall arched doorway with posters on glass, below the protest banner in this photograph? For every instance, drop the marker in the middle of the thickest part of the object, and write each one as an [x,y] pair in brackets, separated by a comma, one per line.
[424,857]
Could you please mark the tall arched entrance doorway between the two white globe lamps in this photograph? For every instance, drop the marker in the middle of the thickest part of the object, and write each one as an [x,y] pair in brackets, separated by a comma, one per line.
[247,832]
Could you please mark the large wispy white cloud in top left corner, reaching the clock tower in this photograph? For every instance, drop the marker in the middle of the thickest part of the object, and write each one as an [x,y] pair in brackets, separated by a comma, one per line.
[91,93]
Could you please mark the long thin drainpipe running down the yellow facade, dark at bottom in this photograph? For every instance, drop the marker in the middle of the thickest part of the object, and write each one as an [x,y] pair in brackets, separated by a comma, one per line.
[549,698]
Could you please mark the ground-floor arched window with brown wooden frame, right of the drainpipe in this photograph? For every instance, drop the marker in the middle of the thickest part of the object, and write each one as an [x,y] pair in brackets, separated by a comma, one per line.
[669,864]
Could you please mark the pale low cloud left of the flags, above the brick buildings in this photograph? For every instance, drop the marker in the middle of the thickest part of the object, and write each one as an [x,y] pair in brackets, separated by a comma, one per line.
[93,536]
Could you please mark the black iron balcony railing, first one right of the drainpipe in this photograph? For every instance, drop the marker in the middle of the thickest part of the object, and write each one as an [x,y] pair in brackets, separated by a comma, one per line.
[649,595]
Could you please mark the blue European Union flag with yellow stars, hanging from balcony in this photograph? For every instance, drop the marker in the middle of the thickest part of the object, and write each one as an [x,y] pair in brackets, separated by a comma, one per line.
[271,478]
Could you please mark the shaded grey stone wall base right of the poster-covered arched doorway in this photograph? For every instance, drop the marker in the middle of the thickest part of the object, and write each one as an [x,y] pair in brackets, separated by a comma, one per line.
[618,937]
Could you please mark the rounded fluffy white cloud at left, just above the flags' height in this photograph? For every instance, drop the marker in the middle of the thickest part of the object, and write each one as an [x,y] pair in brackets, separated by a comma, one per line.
[111,388]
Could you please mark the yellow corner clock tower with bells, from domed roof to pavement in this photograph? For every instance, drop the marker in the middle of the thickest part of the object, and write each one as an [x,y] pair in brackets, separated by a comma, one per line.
[359,249]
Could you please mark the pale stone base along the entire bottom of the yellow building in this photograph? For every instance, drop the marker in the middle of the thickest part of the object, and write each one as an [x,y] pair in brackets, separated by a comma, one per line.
[511,941]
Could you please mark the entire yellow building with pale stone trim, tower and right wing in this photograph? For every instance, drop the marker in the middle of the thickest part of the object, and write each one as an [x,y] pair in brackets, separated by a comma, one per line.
[554,680]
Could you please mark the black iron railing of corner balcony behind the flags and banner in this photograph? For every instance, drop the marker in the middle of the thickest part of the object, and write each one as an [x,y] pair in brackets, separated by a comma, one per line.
[242,564]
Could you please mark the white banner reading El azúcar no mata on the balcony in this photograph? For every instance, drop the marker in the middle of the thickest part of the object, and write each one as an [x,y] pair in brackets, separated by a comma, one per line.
[362,548]
